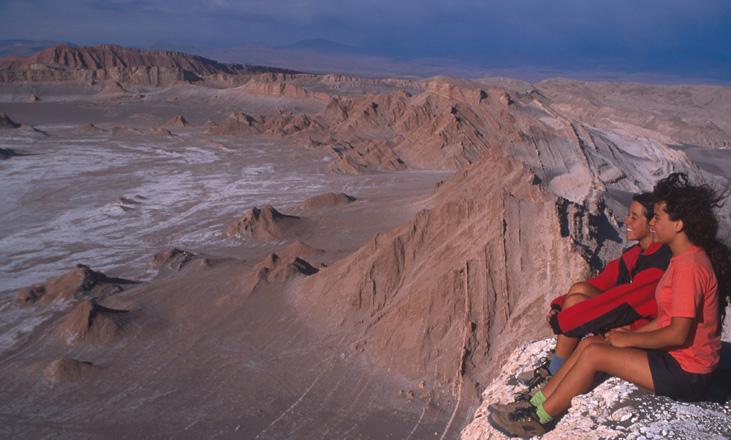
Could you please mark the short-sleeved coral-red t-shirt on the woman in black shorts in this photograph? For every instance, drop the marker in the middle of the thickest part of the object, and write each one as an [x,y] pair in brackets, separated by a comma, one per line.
[689,289]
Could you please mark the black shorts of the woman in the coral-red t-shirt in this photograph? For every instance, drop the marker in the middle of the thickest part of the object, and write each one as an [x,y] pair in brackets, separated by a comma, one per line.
[672,381]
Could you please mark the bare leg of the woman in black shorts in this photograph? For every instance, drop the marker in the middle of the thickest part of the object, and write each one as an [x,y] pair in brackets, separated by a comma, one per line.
[630,364]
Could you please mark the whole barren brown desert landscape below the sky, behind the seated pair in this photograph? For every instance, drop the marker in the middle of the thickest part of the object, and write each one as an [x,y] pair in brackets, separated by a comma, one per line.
[192,249]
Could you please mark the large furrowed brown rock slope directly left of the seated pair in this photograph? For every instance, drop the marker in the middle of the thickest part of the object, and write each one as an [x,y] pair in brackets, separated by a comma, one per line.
[444,297]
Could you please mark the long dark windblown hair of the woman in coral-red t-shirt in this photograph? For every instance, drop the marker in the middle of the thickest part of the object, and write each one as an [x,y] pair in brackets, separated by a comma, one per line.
[695,205]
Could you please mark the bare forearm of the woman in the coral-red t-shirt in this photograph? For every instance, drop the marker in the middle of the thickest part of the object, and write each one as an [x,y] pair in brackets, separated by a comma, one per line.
[671,336]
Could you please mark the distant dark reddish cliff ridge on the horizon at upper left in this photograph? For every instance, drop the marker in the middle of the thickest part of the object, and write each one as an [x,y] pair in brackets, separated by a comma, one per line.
[91,64]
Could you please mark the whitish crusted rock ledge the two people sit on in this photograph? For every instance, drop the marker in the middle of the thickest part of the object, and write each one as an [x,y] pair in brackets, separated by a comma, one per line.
[615,409]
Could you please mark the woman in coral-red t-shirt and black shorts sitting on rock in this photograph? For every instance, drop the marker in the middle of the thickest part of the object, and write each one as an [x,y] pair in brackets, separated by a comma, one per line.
[674,354]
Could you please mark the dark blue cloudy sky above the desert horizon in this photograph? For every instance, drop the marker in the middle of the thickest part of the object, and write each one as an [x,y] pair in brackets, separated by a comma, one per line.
[679,37]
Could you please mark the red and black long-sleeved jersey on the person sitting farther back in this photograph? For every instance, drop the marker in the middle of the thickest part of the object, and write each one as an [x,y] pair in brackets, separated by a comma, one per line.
[628,294]
